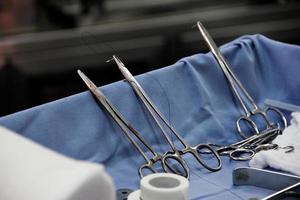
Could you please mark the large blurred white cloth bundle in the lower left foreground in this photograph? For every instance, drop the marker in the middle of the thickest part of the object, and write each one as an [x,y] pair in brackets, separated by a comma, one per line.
[29,171]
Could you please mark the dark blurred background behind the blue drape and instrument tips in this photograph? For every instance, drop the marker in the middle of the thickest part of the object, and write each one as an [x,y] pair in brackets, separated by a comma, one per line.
[43,42]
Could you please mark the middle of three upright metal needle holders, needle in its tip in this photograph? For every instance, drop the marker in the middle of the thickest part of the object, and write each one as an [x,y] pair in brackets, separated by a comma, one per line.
[175,154]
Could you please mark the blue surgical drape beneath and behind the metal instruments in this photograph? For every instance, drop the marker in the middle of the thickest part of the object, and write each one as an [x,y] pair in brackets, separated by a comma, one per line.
[193,94]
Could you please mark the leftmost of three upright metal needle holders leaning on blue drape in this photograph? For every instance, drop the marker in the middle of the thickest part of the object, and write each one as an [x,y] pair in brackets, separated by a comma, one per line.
[128,130]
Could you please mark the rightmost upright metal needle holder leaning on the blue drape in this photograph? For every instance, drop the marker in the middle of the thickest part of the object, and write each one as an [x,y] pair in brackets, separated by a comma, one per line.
[240,91]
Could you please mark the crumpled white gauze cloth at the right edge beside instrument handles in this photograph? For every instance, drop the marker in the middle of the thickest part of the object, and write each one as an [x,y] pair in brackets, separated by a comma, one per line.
[279,159]
